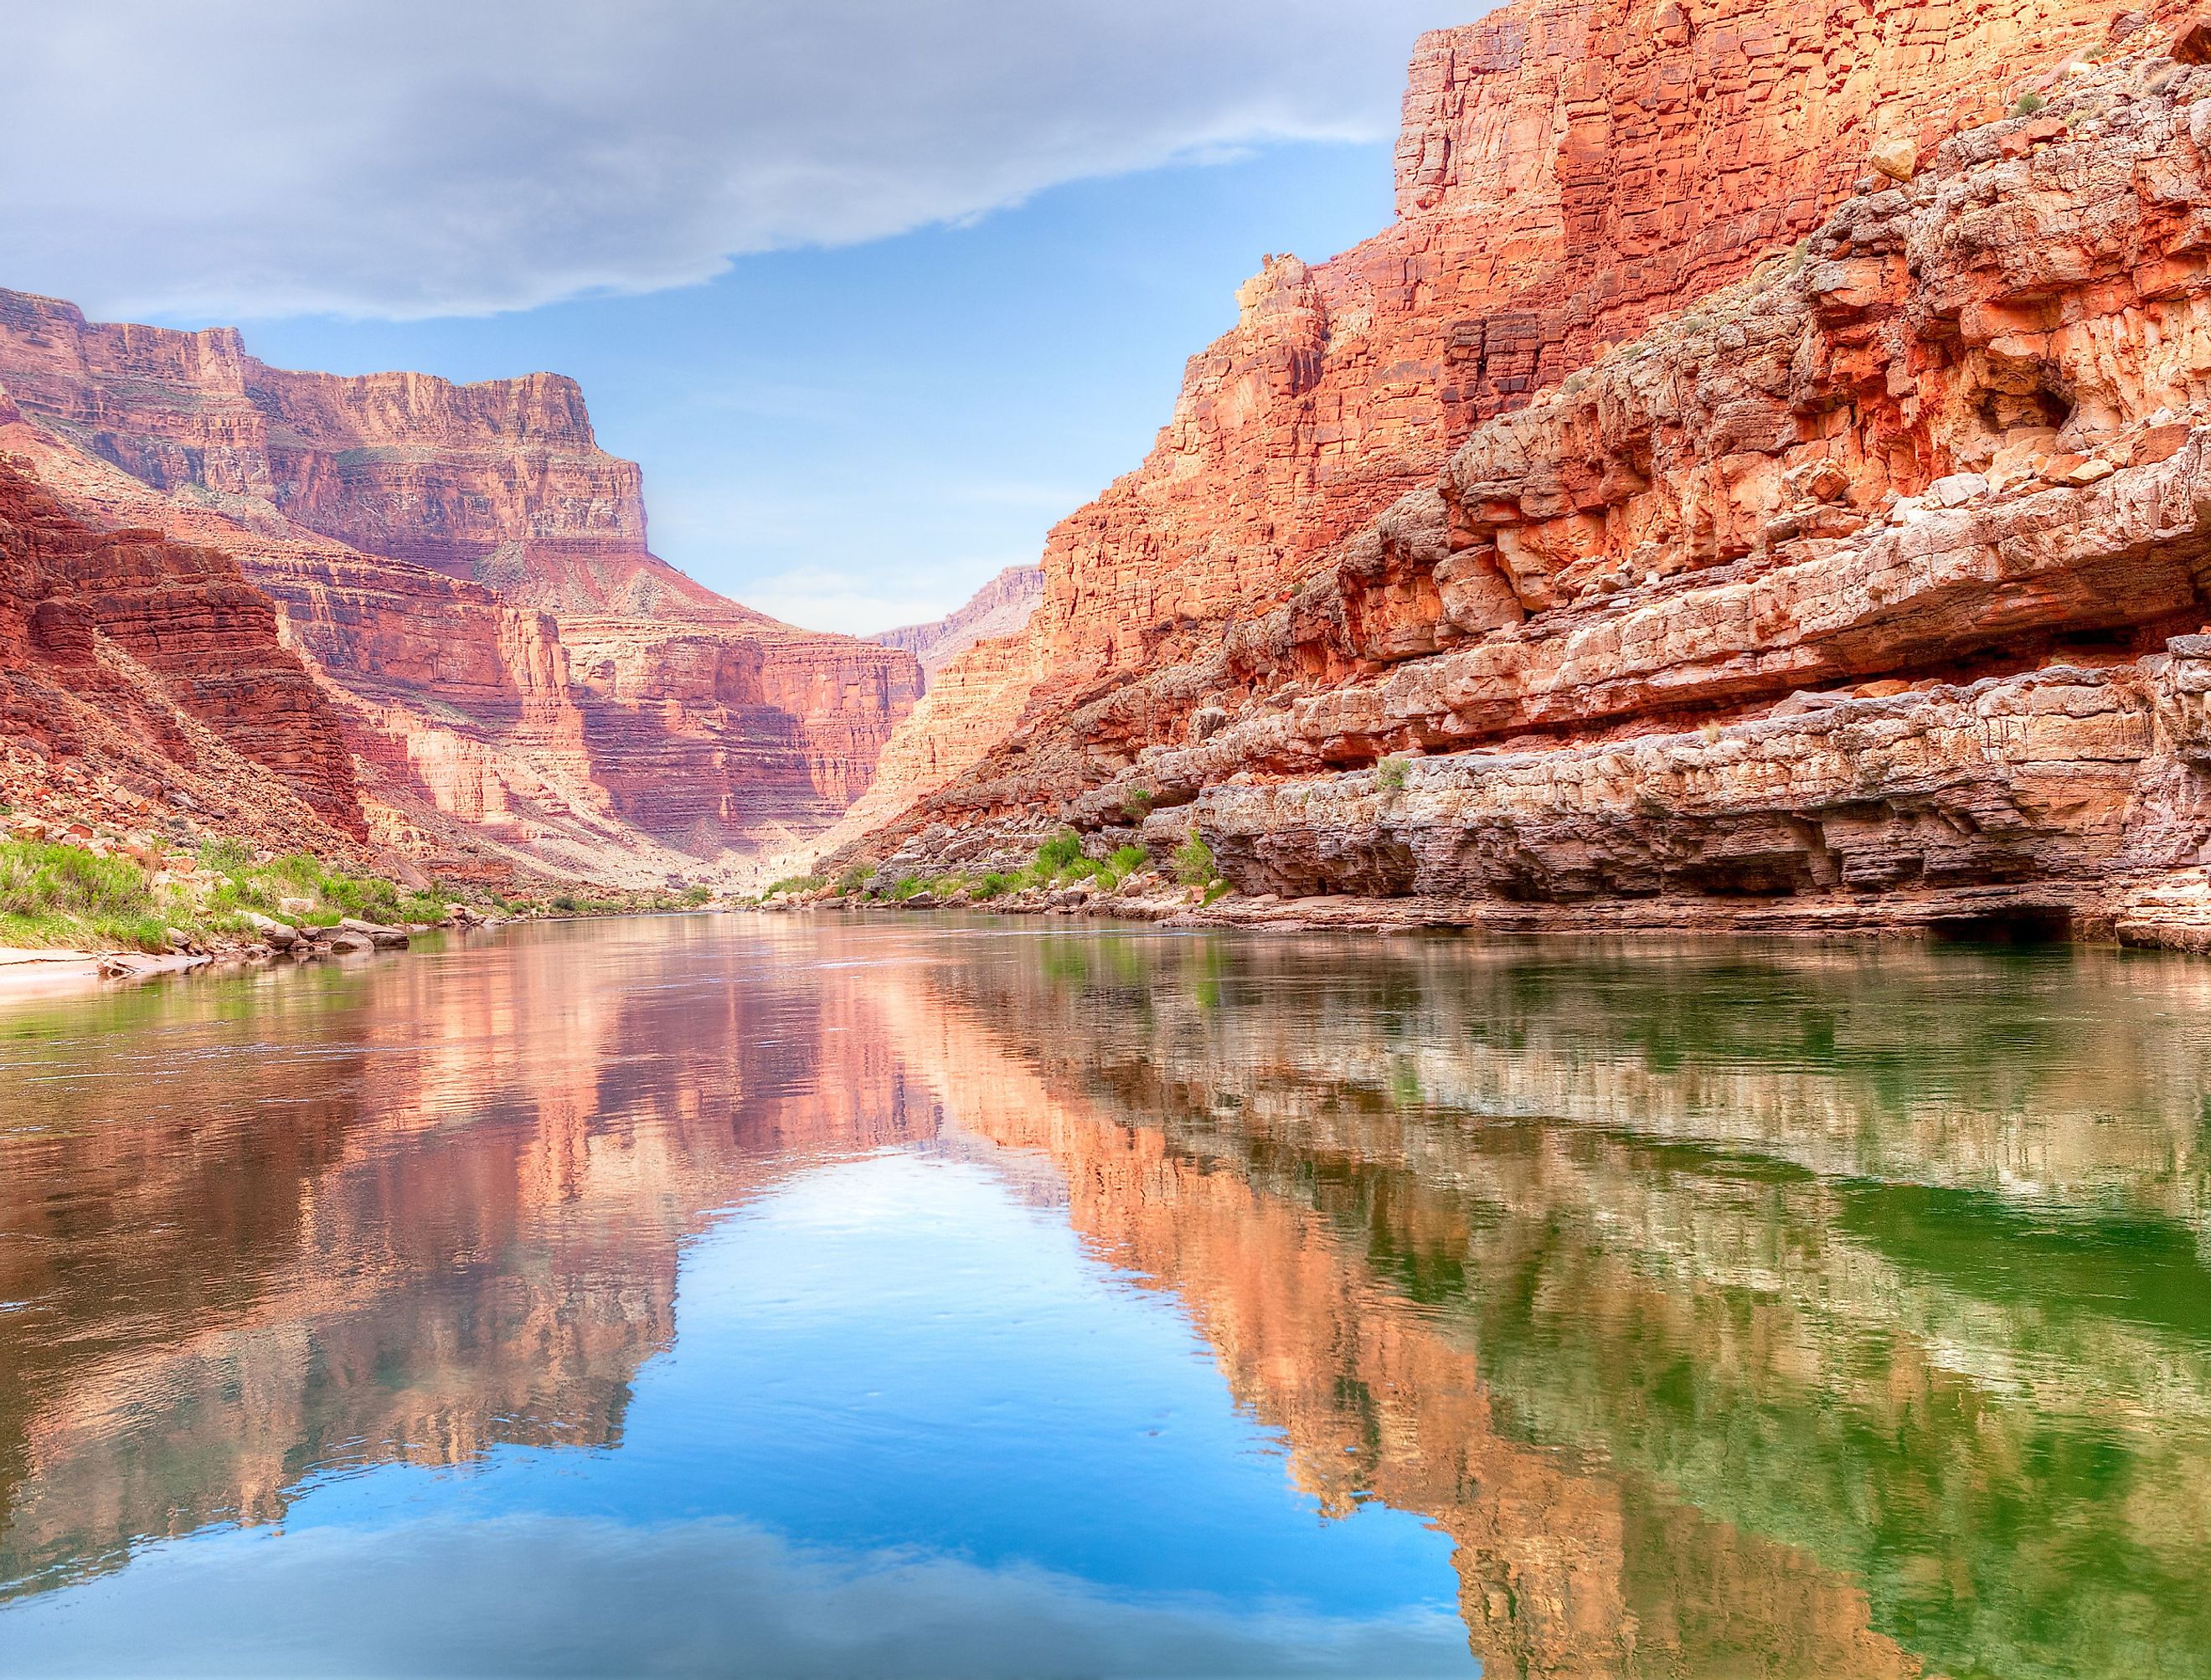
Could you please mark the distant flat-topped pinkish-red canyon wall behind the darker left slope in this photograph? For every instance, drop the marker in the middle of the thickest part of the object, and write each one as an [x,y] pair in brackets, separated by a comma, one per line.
[468,571]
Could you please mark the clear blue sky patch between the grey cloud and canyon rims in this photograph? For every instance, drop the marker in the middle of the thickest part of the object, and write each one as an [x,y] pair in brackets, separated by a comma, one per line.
[855,439]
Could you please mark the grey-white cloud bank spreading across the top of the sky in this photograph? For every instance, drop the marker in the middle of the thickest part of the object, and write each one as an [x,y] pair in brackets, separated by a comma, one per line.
[417,158]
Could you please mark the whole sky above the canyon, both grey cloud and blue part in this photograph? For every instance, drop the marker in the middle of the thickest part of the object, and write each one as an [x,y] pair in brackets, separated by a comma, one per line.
[874,291]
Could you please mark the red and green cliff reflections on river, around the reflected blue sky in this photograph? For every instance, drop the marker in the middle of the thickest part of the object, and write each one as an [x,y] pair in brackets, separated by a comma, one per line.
[1732,1310]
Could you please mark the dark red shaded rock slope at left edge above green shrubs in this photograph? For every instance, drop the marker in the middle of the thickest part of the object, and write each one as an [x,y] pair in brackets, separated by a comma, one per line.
[156,671]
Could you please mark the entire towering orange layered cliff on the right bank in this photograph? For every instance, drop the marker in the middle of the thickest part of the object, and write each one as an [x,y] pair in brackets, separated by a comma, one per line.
[1865,594]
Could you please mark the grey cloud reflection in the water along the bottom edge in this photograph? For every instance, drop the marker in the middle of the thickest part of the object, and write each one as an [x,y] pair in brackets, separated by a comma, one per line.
[594,1597]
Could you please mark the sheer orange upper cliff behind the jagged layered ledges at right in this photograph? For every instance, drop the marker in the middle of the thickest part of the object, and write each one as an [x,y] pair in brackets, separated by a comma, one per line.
[1569,171]
